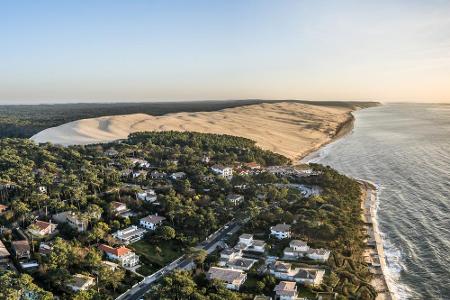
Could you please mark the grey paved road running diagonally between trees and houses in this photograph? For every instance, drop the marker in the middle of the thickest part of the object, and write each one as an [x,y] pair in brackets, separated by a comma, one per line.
[209,245]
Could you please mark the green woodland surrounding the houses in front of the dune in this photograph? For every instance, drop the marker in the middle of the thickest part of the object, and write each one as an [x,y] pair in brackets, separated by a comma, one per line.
[86,179]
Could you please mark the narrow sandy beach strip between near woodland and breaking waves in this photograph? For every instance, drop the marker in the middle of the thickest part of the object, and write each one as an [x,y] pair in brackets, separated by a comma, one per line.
[374,252]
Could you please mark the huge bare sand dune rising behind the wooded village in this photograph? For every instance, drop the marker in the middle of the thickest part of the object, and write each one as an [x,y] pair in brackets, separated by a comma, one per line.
[291,129]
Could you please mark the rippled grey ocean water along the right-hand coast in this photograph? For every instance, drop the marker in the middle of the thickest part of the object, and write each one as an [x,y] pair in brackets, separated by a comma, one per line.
[405,150]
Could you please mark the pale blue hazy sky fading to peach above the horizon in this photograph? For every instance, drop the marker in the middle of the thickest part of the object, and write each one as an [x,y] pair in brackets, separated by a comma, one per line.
[58,51]
